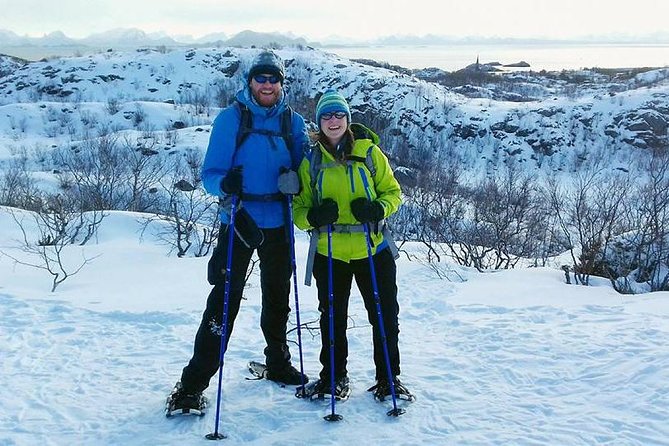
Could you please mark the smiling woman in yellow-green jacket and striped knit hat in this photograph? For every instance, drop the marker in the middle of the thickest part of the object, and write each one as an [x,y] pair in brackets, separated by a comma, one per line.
[347,182]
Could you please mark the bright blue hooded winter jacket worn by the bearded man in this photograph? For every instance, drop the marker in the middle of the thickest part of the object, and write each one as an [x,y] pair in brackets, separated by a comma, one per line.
[262,157]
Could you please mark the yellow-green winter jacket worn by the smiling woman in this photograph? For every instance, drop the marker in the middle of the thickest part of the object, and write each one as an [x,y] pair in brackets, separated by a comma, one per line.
[344,181]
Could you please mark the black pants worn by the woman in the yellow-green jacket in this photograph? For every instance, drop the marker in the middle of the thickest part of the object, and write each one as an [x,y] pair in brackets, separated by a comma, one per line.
[343,273]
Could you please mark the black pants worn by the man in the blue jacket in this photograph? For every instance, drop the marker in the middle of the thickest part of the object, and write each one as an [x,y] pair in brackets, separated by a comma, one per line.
[275,273]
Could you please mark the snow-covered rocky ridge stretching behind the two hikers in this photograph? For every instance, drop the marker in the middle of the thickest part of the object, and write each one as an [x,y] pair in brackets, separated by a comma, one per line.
[555,122]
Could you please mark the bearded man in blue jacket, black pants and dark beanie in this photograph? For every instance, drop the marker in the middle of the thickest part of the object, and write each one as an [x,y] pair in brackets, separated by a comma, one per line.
[255,147]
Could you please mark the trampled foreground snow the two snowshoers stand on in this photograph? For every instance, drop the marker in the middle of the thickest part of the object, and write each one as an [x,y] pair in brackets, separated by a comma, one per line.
[511,357]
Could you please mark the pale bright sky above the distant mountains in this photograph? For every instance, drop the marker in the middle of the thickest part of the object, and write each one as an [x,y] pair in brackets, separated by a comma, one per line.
[356,19]
